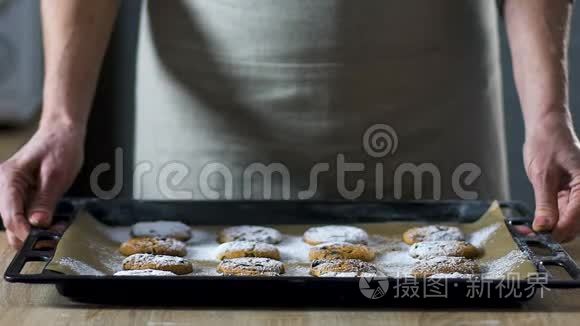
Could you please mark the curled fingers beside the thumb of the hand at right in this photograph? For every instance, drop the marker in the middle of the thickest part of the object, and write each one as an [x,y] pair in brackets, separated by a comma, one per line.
[569,222]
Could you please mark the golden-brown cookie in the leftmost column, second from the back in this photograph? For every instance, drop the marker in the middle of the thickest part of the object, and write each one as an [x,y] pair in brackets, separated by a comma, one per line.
[155,246]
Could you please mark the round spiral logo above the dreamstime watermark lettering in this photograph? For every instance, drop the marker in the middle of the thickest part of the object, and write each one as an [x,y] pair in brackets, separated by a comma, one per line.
[380,140]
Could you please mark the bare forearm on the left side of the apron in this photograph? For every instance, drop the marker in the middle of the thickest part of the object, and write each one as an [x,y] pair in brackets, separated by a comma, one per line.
[76,34]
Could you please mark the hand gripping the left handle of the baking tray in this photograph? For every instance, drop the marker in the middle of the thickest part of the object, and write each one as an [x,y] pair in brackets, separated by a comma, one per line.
[33,180]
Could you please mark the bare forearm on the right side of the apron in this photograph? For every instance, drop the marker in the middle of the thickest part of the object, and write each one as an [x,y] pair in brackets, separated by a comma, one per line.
[538,32]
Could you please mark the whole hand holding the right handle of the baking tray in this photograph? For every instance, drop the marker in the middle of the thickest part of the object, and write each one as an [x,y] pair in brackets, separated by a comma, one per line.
[552,161]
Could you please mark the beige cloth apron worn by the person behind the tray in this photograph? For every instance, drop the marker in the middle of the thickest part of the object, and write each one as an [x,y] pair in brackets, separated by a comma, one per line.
[273,99]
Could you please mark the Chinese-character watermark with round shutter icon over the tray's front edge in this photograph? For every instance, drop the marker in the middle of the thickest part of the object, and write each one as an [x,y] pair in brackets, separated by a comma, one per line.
[513,286]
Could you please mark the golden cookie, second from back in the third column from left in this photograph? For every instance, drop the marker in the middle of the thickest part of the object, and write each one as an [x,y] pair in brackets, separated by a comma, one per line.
[341,250]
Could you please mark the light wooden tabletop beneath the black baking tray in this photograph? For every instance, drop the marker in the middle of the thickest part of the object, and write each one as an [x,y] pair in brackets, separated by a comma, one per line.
[22,304]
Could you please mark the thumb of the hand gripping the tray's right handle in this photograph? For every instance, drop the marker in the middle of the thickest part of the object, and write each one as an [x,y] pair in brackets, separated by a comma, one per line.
[546,197]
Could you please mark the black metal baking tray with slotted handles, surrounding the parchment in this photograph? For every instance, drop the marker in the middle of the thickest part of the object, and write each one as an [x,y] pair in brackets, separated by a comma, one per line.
[292,291]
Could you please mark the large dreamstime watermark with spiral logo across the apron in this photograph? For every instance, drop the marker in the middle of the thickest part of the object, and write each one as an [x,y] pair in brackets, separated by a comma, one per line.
[378,142]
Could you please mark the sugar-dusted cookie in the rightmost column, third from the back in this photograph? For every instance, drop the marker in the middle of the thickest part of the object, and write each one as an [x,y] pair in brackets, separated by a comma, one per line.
[445,265]
